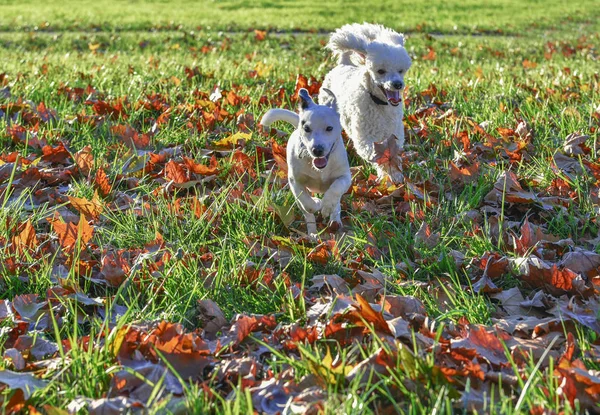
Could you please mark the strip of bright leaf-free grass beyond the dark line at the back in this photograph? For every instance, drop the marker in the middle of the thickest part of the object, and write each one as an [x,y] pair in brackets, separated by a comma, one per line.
[446,16]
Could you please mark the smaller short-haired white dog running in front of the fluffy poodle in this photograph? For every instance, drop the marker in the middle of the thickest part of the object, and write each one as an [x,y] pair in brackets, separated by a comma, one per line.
[316,157]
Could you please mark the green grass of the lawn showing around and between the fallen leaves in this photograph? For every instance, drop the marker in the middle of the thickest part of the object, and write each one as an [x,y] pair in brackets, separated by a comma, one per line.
[498,64]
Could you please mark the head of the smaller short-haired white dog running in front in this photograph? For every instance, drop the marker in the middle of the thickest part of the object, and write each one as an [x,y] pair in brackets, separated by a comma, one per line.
[319,127]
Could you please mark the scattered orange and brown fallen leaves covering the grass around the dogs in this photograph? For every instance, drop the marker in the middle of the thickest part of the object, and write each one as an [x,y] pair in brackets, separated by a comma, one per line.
[362,322]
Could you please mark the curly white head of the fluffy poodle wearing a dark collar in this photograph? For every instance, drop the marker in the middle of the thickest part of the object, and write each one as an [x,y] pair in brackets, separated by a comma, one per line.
[386,65]
